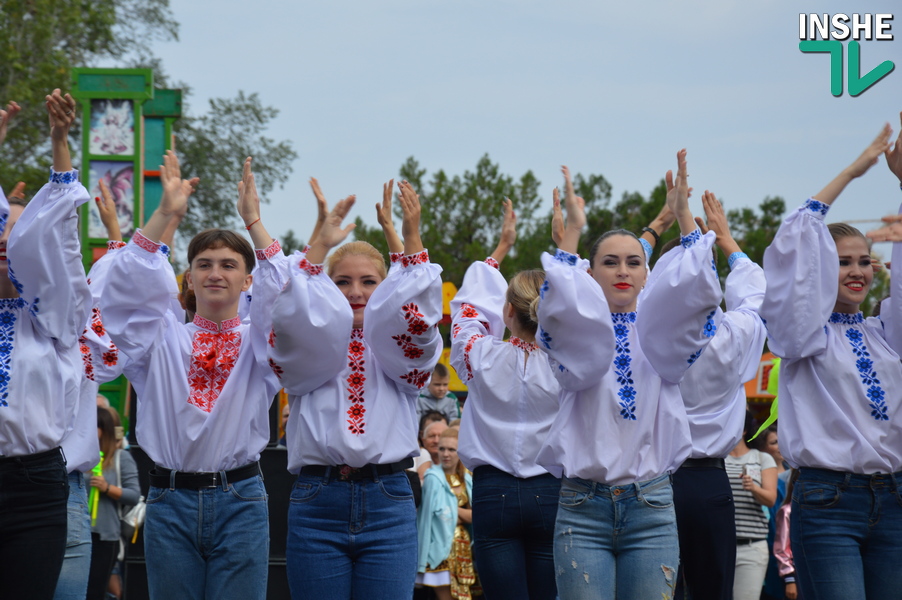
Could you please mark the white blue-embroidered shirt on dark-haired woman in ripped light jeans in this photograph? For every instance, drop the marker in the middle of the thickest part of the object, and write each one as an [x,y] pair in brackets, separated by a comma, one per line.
[622,418]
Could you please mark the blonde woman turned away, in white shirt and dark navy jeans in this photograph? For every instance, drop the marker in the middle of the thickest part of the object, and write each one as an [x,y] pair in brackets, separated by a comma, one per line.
[513,399]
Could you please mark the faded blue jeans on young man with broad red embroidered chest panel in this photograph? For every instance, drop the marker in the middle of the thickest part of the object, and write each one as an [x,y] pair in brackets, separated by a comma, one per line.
[208,543]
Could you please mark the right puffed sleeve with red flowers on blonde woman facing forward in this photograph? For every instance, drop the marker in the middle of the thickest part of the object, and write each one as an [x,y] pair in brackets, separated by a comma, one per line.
[401,321]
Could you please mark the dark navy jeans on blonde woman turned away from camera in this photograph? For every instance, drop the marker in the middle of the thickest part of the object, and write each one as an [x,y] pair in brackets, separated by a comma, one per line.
[513,534]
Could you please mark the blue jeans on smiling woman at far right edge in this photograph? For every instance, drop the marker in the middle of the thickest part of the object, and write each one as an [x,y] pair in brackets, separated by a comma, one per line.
[846,535]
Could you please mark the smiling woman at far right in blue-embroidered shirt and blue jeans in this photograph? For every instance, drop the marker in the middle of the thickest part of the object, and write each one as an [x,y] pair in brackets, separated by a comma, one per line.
[840,400]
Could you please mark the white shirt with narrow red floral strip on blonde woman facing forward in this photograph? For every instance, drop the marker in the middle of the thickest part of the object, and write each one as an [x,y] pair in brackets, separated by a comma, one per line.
[352,391]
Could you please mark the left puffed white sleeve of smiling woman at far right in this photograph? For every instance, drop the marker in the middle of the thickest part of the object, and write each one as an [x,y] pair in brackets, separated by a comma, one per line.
[801,267]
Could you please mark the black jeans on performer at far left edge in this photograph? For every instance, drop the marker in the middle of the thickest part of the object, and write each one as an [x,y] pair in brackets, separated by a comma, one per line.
[34,491]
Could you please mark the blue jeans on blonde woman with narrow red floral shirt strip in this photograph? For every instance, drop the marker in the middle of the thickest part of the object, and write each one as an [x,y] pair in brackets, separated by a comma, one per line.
[352,539]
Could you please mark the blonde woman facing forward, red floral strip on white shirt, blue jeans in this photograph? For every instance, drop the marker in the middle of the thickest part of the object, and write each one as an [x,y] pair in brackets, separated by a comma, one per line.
[353,347]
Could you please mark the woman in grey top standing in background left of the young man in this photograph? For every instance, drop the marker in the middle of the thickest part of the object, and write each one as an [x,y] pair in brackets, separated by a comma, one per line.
[113,492]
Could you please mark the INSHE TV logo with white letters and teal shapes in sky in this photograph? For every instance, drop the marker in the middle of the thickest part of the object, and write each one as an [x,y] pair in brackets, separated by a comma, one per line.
[870,27]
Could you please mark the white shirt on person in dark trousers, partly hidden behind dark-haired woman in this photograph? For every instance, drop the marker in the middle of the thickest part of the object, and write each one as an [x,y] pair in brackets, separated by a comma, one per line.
[713,388]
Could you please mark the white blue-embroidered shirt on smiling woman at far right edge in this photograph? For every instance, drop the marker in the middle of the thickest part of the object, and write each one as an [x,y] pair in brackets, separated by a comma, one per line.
[840,382]
